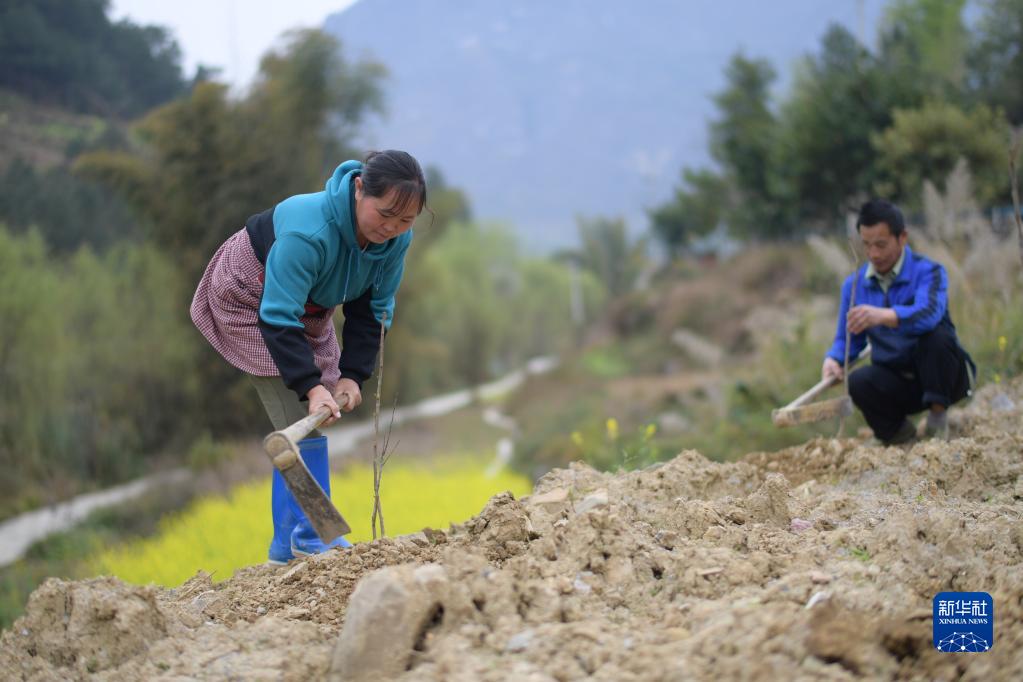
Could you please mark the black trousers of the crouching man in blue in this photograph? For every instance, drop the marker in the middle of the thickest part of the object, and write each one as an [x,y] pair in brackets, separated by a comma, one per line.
[939,376]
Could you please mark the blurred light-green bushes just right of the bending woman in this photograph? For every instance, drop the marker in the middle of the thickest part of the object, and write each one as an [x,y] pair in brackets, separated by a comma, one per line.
[480,309]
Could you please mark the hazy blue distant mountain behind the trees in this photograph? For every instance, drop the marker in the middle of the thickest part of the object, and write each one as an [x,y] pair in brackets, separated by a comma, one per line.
[547,110]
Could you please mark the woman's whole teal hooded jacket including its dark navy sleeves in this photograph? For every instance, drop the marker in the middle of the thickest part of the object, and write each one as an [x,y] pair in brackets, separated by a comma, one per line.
[313,261]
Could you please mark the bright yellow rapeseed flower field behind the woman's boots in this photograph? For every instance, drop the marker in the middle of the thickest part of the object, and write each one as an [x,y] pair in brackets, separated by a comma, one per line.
[226,533]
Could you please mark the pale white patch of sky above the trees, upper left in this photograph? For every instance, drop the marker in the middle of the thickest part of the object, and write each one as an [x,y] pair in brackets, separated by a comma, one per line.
[232,35]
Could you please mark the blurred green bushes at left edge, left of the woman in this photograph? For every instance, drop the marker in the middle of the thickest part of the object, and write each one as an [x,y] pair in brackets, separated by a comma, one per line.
[97,362]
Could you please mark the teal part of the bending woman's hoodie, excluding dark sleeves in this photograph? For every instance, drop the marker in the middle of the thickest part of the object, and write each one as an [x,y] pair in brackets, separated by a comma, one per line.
[316,257]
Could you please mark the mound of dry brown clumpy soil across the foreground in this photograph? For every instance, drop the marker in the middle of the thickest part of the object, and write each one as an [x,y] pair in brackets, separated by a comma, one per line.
[819,562]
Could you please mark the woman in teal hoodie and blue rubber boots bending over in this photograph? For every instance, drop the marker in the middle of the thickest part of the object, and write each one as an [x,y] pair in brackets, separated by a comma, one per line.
[269,295]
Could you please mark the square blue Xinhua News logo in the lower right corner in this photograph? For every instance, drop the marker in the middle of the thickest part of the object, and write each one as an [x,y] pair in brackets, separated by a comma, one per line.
[964,622]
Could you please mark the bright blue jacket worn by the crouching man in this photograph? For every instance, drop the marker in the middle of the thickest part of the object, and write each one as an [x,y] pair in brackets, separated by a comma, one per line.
[920,298]
